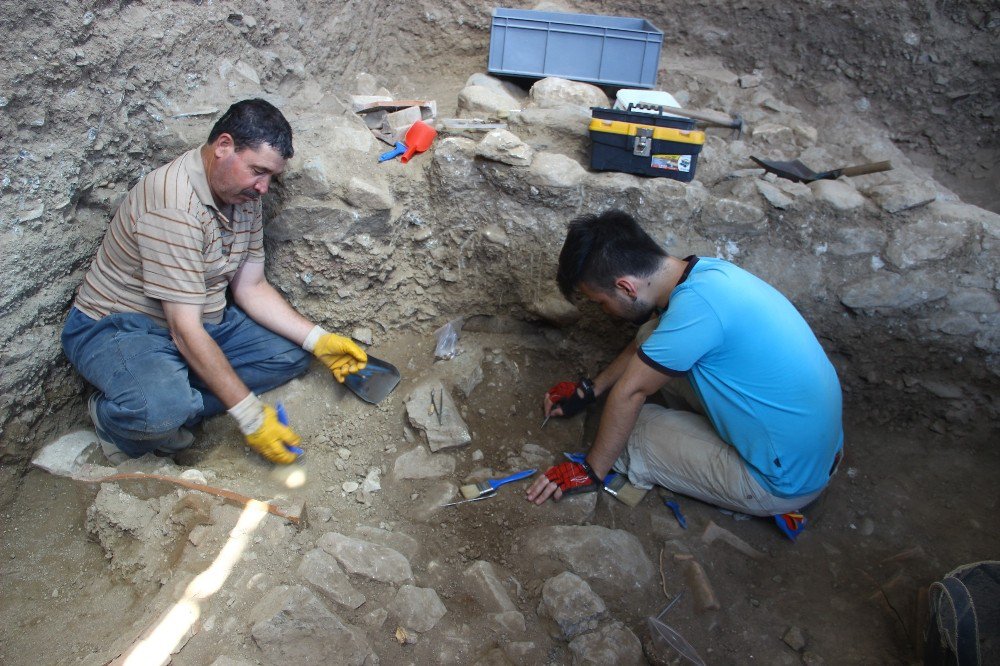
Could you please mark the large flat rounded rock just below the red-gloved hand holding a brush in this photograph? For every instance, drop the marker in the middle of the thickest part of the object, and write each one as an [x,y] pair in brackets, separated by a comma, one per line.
[609,559]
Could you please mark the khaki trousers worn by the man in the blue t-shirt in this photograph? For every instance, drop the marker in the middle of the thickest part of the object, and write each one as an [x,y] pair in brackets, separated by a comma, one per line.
[678,448]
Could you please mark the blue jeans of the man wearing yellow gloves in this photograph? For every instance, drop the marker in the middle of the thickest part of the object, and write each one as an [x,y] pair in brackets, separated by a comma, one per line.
[147,392]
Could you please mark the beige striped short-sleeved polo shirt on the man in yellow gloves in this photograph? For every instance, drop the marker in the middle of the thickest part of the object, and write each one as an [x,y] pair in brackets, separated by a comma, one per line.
[169,242]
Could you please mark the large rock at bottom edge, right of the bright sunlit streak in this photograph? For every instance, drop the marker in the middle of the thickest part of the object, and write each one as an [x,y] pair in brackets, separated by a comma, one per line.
[291,626]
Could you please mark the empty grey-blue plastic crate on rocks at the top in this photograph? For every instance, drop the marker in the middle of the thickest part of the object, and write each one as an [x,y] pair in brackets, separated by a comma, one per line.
[606,50]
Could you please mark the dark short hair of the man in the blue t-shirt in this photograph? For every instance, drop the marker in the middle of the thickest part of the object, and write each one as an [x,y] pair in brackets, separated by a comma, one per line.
[601,248]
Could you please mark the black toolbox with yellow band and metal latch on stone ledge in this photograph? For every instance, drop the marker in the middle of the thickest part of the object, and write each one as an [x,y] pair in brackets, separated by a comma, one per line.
[644,143]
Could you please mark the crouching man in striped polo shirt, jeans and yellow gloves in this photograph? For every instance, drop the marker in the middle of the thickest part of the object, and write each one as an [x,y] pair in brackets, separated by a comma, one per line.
[150,327]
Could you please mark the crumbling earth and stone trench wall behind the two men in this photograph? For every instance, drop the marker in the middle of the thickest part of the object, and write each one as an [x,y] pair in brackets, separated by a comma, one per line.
[95,94]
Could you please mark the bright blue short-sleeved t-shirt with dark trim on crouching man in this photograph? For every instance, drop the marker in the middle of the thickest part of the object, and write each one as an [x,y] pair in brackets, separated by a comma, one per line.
[766,383]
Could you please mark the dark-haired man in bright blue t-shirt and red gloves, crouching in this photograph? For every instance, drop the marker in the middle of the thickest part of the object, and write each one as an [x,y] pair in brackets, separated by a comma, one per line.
[754,423]
